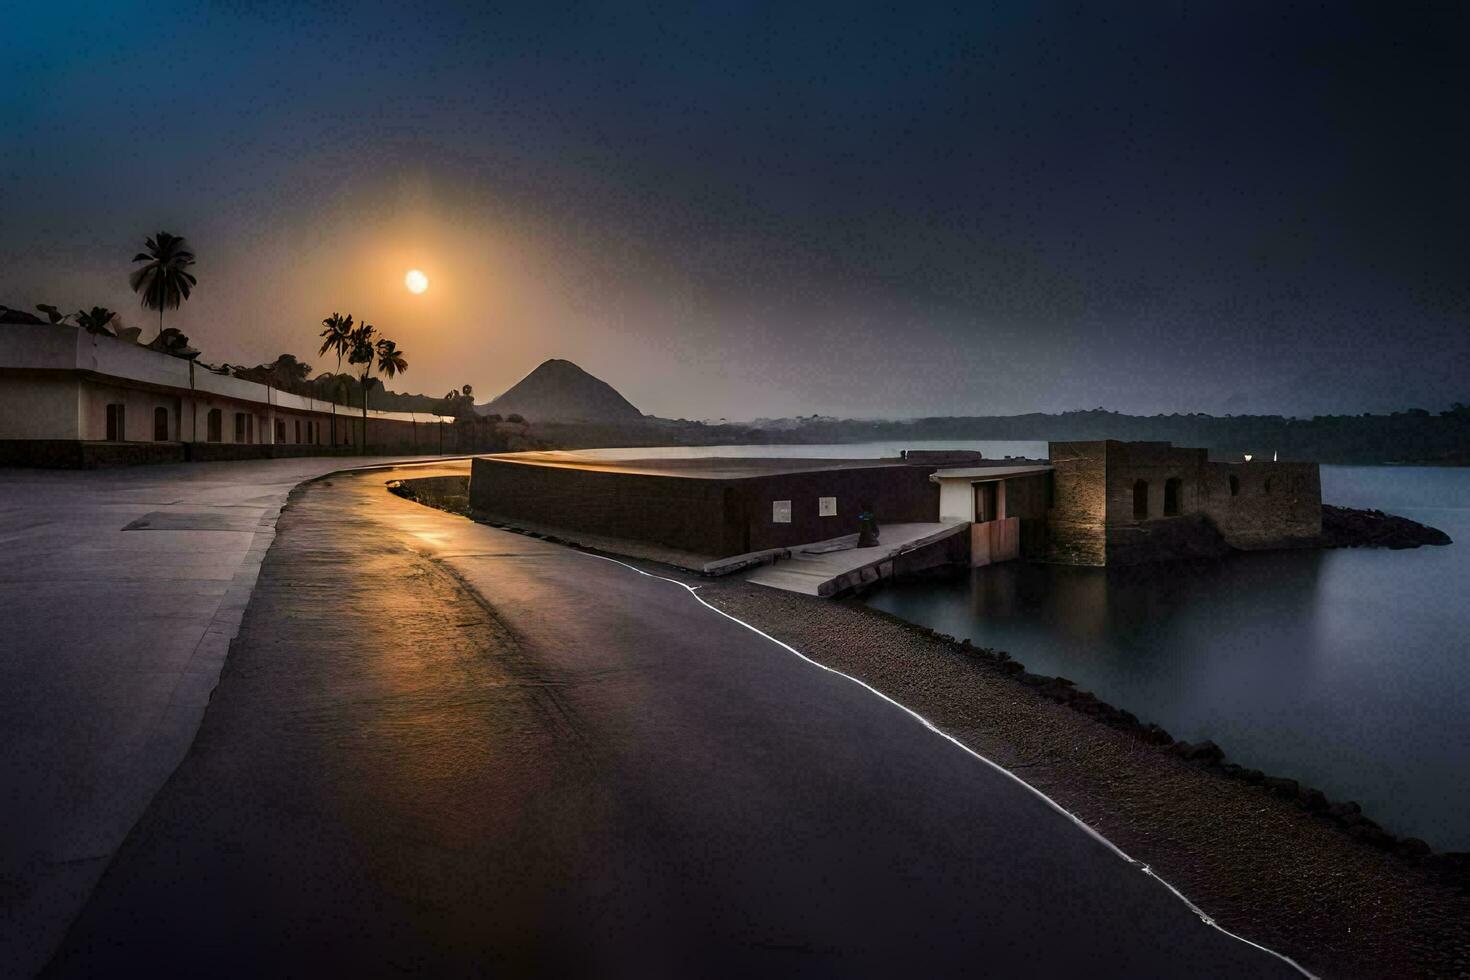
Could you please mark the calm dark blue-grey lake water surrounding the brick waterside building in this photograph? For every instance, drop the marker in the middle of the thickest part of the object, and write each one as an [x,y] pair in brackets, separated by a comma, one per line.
[1349,671]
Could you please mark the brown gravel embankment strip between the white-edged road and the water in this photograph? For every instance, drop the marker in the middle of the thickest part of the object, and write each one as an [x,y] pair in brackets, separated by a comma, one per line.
[1272,866]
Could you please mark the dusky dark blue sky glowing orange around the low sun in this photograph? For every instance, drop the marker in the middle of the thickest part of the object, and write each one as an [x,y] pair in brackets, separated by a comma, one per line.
[770,209]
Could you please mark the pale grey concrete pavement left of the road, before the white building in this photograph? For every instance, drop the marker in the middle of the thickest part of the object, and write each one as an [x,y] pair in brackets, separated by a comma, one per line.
[121,593]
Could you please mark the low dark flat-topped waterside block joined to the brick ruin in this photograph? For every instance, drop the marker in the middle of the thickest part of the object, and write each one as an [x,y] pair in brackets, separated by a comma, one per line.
[1097,503]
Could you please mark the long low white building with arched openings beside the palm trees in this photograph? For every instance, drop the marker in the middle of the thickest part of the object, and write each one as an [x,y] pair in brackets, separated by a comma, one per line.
[76,399]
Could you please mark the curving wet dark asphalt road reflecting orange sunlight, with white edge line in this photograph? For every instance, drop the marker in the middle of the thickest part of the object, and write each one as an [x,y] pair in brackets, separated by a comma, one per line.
[586,772]
